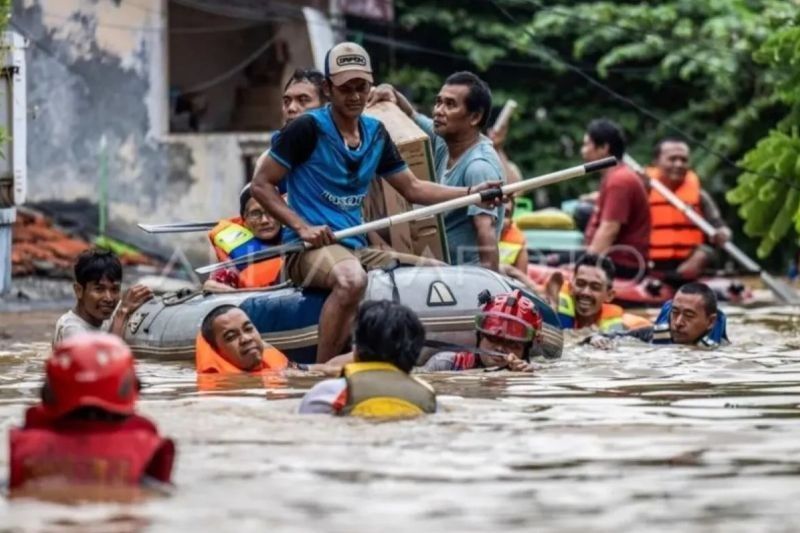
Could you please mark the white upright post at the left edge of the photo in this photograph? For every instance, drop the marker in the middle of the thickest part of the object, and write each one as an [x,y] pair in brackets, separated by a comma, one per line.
[13,144]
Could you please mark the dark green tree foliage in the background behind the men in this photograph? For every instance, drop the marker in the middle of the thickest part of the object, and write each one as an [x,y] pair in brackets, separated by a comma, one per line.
[707,68]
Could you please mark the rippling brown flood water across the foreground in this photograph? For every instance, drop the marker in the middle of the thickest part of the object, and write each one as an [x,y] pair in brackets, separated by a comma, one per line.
[657,439]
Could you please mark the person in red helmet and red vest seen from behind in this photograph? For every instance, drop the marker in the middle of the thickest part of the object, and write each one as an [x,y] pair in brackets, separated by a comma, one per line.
[85,432]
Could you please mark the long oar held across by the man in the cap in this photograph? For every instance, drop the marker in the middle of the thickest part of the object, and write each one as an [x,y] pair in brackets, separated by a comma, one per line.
[416,214]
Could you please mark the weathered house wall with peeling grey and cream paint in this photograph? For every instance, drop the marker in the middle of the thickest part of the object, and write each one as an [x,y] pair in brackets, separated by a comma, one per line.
[97,82]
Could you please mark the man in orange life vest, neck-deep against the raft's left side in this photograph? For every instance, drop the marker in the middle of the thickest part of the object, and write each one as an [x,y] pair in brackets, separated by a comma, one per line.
[229,343]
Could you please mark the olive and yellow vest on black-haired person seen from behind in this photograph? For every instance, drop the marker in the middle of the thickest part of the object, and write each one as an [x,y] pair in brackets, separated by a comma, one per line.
[381,390]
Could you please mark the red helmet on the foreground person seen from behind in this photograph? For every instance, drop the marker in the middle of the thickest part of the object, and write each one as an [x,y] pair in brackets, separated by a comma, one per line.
[90,369]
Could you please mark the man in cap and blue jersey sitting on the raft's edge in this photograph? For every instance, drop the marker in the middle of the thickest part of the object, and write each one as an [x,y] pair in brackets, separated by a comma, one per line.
[328,157]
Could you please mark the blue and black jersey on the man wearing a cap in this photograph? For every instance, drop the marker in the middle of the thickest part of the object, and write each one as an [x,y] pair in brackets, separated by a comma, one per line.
[328,180]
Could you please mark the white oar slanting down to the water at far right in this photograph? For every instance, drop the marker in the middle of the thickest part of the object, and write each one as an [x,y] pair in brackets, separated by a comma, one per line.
[781,289]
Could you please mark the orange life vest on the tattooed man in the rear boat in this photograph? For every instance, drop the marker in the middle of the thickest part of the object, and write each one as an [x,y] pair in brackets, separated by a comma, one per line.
[673,236]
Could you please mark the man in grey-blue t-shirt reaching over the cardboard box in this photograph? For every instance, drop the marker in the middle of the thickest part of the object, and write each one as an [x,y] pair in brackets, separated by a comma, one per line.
[463,157]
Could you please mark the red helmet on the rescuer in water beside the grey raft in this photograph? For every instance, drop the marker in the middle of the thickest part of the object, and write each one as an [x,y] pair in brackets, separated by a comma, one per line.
[512,316]
